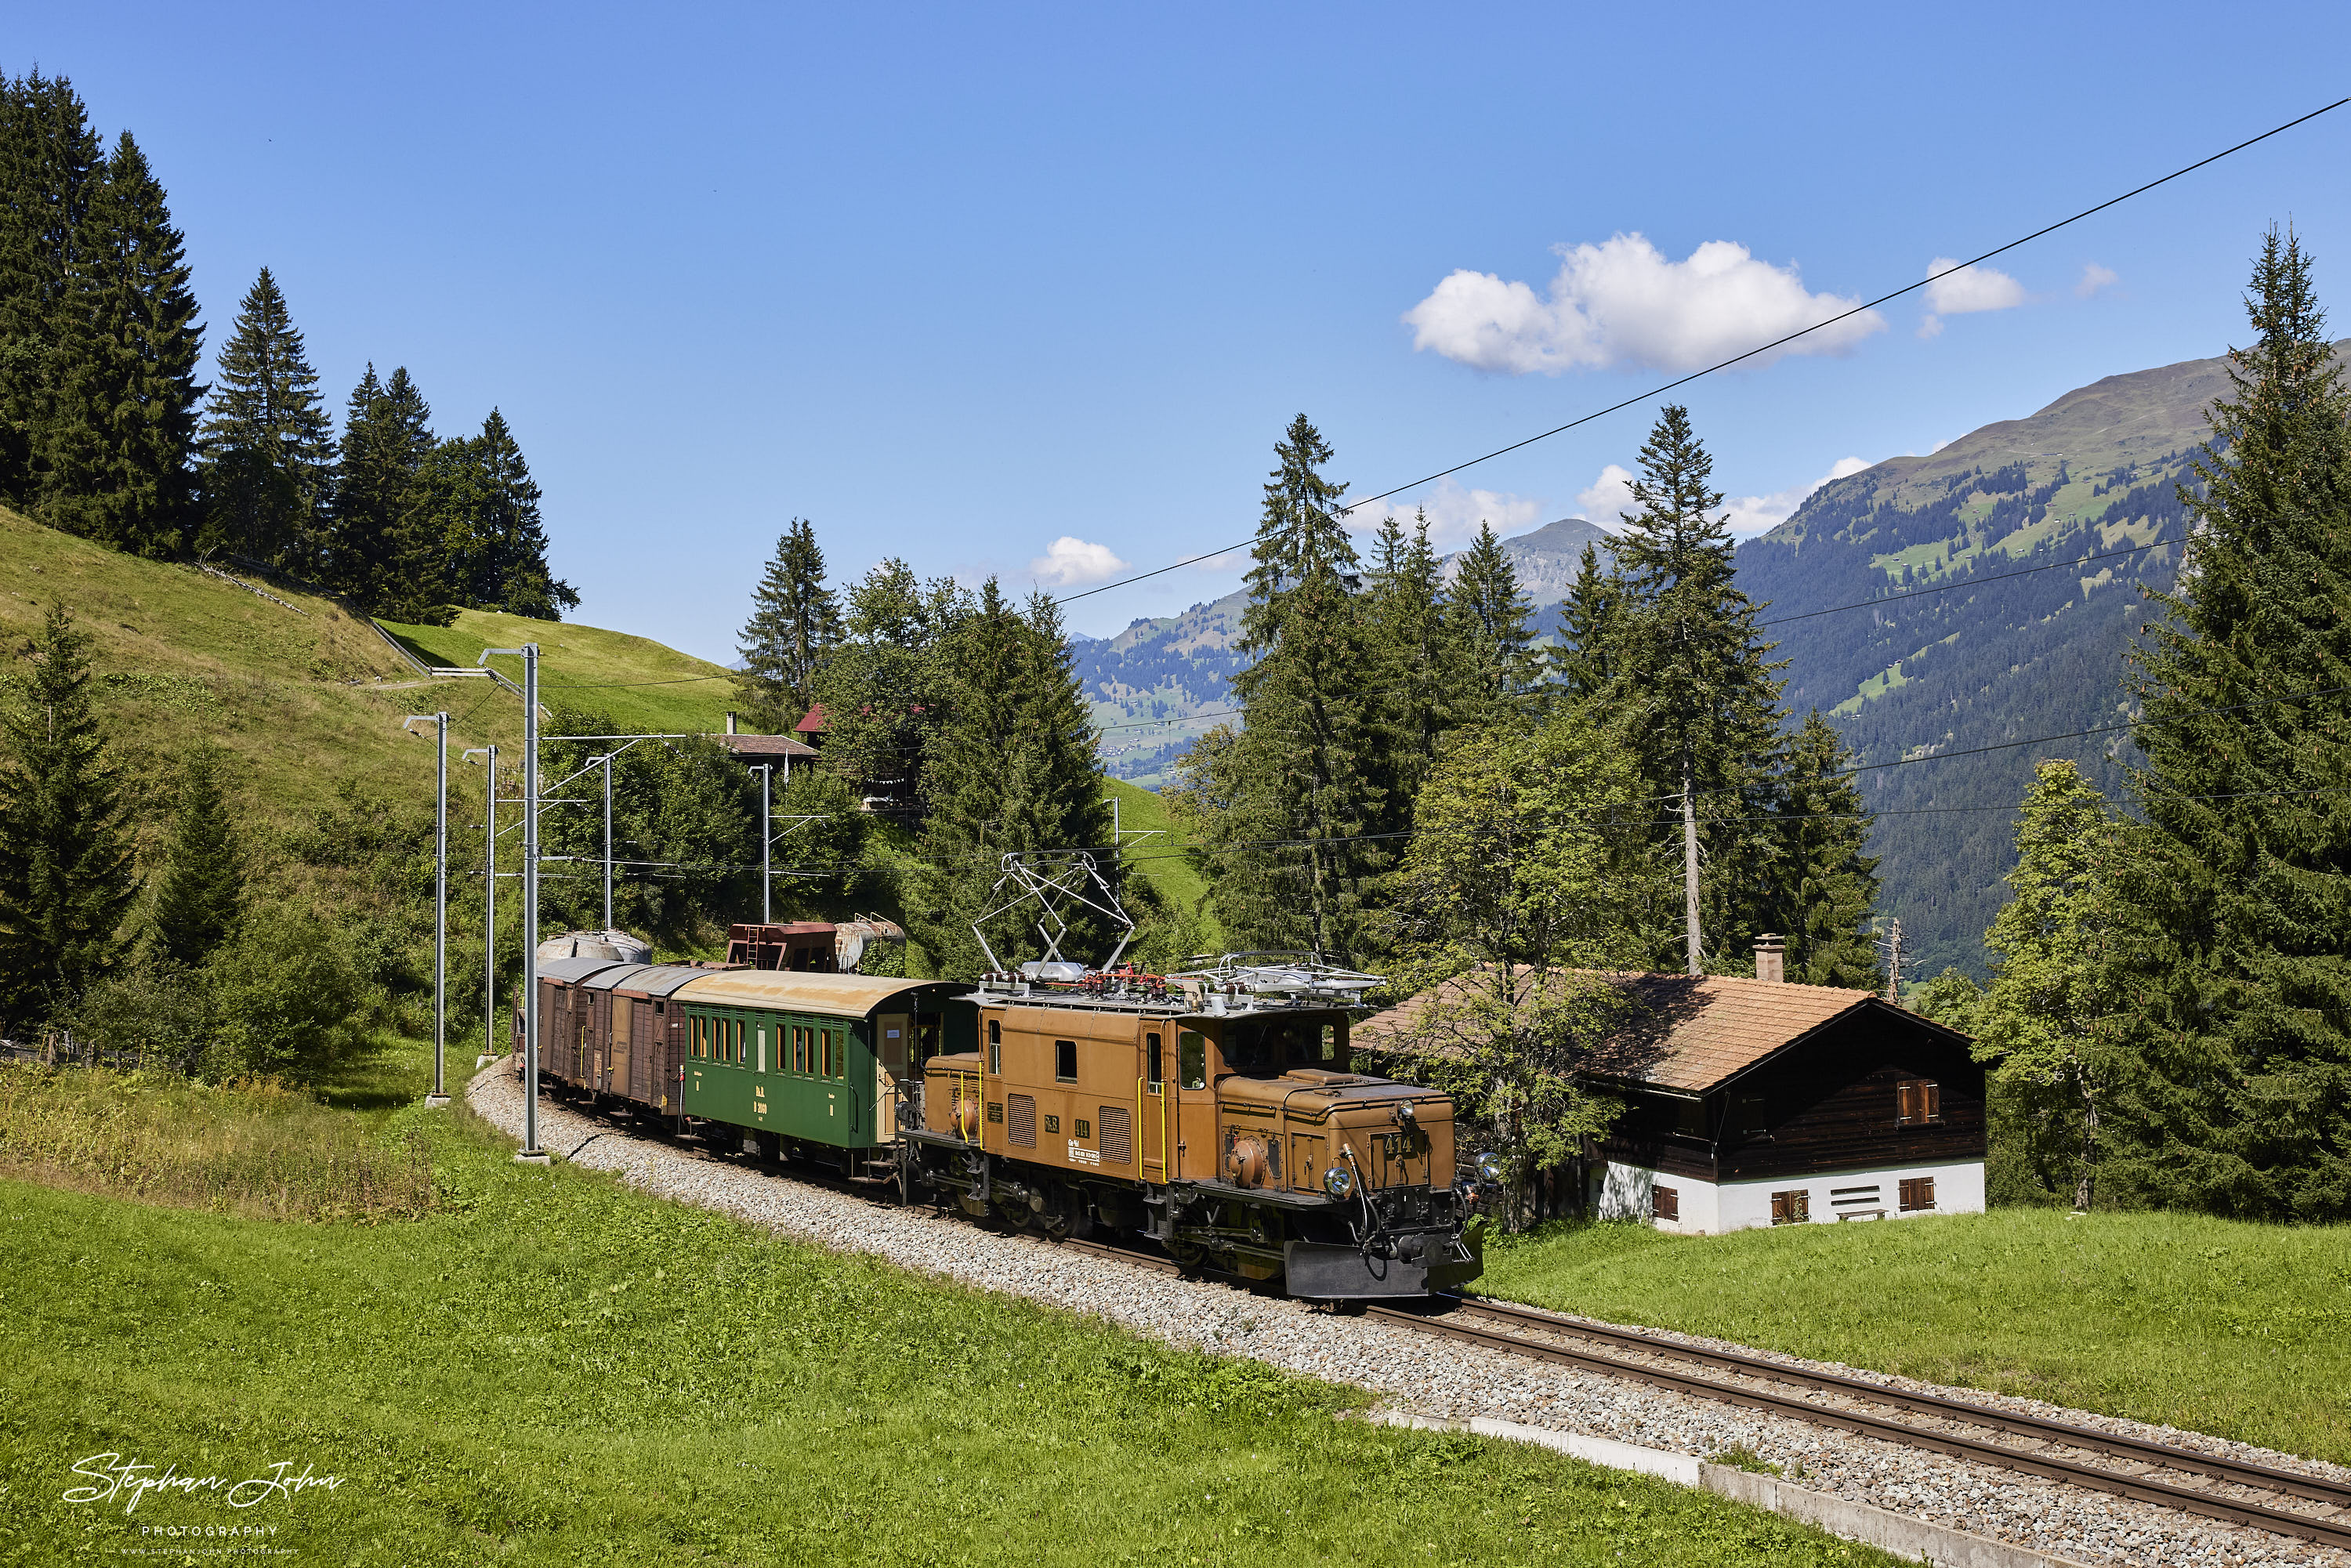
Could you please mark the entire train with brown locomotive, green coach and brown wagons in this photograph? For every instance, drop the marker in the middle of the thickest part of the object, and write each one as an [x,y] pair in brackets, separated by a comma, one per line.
[1210,1111]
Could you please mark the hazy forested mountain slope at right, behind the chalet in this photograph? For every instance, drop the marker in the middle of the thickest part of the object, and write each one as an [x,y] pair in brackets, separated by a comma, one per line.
[1983,662]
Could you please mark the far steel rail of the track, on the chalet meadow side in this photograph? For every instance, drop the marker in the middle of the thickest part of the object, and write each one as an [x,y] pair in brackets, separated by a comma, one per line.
[2148,1452]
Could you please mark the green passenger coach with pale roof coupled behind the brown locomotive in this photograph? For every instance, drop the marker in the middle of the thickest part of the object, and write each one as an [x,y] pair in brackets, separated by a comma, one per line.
[815,1061]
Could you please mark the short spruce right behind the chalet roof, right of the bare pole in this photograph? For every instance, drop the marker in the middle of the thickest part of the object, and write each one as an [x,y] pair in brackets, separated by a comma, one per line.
[1826,887]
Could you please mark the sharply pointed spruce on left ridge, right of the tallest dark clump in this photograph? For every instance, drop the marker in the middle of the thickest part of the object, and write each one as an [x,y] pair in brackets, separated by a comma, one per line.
[269,455]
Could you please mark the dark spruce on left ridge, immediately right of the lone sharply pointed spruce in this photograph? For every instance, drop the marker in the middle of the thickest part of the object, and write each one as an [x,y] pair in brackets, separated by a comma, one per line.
[384,547]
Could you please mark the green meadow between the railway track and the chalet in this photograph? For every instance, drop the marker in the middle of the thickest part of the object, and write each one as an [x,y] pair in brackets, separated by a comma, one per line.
[2164,1318]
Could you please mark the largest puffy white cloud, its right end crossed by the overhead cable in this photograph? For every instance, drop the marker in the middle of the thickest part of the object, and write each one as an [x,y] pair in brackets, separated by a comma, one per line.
[1626,302]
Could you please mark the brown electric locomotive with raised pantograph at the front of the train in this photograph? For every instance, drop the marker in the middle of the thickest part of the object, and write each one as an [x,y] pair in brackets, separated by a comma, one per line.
[1210,1111]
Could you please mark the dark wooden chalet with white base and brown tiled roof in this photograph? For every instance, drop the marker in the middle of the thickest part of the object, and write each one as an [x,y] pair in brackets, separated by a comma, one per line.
[1767,1104]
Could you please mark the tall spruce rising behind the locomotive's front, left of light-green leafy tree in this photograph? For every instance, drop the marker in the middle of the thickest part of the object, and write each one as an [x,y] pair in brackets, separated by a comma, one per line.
[1292,803]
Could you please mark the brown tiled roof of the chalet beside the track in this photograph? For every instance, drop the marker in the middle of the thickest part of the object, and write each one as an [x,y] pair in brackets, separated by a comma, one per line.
[1680,1033]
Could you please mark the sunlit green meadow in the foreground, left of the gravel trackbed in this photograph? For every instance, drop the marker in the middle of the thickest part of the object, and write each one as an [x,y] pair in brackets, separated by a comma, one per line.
[554,1369]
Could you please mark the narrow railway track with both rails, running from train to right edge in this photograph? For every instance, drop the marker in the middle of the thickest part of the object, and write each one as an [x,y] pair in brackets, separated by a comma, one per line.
[1588,1348]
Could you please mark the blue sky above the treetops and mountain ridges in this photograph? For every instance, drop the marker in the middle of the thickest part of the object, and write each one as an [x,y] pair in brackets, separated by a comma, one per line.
[965,283]
